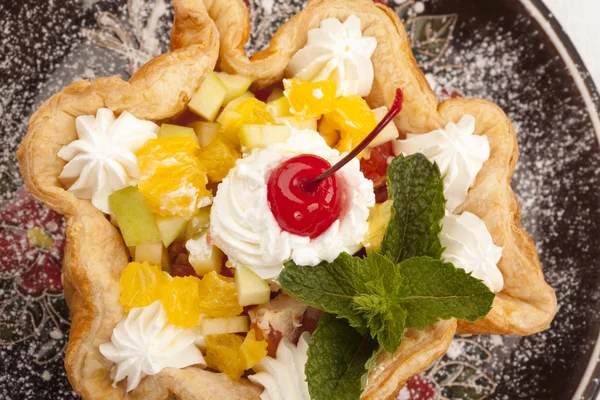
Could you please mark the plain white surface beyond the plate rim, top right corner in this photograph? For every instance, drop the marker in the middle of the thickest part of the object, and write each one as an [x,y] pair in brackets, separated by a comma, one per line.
[579,18]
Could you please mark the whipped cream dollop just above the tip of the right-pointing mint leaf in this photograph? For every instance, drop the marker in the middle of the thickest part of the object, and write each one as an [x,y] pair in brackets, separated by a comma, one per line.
[469,245]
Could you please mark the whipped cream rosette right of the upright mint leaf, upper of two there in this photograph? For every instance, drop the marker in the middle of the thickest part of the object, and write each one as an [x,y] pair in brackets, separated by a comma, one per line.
[457,151]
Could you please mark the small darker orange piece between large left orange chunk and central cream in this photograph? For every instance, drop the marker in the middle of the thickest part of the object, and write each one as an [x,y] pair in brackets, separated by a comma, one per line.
[218,157]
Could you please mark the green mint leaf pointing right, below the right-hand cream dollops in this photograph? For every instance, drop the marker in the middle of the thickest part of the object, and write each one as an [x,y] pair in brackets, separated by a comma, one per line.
[438,290]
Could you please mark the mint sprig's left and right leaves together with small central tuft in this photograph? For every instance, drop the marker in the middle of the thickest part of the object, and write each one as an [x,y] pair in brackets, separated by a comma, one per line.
[377,296]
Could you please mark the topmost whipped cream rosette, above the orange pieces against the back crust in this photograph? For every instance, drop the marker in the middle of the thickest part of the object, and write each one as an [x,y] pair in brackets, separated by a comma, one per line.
[339,52]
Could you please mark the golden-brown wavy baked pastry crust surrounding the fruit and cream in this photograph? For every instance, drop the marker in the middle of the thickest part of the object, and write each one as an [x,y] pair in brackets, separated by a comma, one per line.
[95,254]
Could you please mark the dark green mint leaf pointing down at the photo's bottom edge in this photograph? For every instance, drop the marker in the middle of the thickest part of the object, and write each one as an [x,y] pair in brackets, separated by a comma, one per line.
[337,360]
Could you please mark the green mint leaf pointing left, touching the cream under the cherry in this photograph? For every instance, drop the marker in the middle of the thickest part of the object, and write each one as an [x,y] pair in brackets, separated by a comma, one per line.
[328,286]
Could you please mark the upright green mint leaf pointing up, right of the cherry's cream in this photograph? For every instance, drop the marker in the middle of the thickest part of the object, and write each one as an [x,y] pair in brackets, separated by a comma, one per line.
[417,191]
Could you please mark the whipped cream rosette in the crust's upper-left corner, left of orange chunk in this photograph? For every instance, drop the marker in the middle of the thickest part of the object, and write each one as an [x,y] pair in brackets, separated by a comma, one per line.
[103,159]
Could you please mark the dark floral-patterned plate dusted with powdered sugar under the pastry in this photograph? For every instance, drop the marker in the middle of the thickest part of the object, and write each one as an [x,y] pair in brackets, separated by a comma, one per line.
[463,56]
